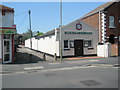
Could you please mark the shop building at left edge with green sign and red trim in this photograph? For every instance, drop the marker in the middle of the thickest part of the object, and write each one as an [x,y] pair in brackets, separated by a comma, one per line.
[7,31]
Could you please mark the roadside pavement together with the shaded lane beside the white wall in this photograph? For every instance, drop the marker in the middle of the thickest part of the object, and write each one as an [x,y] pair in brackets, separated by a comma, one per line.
[25,62]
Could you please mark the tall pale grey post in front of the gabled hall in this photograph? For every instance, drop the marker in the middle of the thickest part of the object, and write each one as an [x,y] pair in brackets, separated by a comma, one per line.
[60,30]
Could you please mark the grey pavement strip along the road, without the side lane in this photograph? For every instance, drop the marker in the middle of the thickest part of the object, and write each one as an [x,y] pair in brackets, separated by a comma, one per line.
[44,65]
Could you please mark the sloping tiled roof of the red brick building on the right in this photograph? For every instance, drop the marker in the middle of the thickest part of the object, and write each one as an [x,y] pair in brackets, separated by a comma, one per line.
[96,10]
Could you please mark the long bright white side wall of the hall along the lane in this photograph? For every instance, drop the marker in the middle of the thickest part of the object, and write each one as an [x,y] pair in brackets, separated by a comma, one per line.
[47,45]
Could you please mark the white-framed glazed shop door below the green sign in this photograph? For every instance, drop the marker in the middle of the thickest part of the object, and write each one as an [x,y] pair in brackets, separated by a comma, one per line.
[7,50]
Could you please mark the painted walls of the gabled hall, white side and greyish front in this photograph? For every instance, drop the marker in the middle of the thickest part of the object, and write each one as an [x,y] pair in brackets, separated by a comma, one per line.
[50,45]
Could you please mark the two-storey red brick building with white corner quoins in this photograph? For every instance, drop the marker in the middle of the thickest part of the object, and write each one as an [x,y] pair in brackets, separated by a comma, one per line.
[106,19]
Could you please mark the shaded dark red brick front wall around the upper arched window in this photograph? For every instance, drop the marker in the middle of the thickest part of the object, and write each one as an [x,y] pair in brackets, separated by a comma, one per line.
[113,11]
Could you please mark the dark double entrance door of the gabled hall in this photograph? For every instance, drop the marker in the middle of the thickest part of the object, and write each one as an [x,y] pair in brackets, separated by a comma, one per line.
[78,46]
